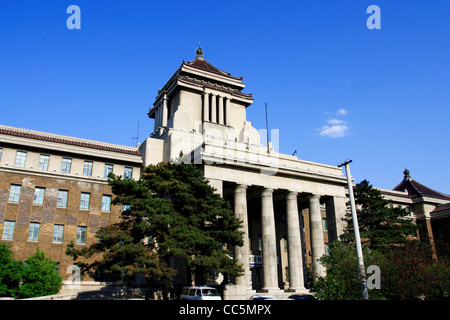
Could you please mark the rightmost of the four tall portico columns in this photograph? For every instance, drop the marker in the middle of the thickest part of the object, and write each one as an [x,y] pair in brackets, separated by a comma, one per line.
[317,242]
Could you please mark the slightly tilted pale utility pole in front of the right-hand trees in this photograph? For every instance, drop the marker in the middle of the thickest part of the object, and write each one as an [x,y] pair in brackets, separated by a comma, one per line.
[362,269]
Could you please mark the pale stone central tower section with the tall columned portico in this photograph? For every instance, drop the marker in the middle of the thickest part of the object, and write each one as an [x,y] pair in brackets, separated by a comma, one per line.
[283,202]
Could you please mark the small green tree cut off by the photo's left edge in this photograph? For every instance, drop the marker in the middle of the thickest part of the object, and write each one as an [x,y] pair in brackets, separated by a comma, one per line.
[10,272]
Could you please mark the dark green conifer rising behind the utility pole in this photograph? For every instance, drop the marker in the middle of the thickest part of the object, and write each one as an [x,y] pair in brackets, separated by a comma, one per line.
[380,225]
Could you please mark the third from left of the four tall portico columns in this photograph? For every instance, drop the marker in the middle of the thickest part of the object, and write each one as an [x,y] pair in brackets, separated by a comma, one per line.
[295,256]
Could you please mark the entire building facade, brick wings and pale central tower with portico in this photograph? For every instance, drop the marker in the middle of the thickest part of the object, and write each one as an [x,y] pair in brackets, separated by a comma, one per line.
[54,189]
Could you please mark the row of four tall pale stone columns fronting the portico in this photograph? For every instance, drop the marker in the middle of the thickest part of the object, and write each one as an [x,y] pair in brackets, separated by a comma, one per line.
[269,245]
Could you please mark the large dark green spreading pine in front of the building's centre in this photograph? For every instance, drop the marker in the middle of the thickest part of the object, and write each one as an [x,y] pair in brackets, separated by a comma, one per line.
[171,212]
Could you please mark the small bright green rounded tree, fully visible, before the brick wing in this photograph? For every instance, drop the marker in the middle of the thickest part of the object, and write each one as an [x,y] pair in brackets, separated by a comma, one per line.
[39,277]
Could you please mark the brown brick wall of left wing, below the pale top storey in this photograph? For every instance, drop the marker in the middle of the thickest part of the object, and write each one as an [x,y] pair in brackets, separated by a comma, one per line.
[49,214]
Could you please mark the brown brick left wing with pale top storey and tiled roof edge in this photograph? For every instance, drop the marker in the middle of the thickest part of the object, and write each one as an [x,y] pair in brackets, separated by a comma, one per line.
[54,190]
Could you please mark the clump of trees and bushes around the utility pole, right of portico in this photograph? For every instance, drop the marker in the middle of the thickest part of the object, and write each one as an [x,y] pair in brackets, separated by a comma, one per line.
[406,265]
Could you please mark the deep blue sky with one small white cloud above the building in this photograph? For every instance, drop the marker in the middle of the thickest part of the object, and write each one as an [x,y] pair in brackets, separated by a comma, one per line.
[335,89]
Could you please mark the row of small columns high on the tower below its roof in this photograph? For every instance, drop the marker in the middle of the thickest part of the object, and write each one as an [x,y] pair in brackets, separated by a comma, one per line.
[215,108]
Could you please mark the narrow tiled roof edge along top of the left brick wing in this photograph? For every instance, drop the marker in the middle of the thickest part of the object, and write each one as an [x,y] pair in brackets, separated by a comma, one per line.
[67,140]
